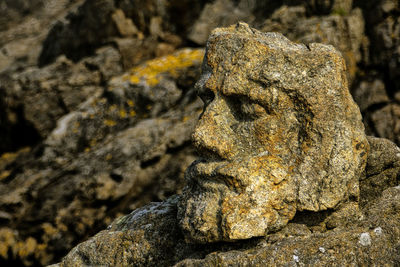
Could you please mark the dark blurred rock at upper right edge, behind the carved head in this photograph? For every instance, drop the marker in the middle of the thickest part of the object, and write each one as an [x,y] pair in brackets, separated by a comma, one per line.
[383,29]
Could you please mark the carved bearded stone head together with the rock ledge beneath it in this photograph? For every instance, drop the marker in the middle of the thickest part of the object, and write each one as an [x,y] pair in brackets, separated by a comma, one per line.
[344,233]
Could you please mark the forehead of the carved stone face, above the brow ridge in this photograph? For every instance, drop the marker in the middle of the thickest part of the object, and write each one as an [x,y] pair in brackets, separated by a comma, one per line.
[242,68]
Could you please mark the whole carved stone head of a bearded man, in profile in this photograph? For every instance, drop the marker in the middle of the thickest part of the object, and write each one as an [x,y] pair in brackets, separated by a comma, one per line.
[279,133]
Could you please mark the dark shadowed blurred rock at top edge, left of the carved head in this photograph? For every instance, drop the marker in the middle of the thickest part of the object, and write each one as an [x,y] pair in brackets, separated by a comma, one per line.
[97,23]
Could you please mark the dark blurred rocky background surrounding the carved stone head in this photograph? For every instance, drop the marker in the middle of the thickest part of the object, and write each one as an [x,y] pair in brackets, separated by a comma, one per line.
[57,58]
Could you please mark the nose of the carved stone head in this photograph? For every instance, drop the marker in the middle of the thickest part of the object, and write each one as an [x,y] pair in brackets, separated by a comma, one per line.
[213,134]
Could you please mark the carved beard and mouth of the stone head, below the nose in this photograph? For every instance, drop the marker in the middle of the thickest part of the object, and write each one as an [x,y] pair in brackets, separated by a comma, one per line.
[211,210]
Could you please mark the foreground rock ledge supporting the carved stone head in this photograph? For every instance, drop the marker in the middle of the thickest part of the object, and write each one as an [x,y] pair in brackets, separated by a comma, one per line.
[346,237]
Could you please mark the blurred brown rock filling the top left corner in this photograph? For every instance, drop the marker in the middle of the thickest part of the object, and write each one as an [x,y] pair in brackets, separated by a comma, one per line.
[23,27]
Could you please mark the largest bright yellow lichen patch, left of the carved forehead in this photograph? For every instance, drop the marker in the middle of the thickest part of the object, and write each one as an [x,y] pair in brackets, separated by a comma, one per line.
[171,64]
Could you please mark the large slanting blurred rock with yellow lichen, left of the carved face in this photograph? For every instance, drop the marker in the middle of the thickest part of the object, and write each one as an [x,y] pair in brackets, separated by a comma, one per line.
[124,146]
